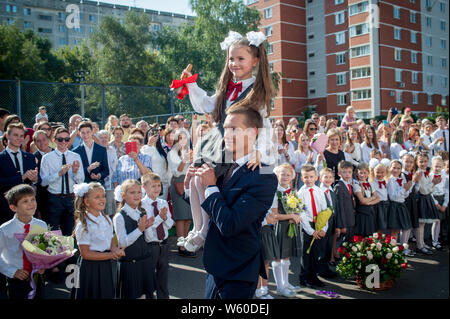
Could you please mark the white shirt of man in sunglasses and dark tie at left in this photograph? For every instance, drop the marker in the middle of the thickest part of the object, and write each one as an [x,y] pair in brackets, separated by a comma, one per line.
[51,165]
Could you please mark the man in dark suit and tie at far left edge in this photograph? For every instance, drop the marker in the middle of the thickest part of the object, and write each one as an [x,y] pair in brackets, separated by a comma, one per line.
[16,167]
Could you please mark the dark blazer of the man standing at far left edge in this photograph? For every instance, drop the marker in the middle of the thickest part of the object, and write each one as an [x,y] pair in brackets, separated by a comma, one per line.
[9,177]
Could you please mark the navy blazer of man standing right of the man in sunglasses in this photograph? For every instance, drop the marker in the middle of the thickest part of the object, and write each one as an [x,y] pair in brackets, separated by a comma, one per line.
[98,155]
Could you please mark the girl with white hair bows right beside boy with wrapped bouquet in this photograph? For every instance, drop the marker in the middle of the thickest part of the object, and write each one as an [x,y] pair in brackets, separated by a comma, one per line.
[94,234]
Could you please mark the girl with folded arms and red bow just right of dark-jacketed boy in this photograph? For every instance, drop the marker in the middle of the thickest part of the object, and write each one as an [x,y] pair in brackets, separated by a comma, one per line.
[366,200]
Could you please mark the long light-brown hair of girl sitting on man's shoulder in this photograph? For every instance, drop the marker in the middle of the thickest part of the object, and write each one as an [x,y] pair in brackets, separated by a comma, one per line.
[260,95]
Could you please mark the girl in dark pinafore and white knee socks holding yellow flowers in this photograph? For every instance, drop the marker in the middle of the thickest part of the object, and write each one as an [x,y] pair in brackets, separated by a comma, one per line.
[287,246]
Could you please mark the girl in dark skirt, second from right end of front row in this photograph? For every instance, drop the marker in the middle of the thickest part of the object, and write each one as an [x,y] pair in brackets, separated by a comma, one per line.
[428,212]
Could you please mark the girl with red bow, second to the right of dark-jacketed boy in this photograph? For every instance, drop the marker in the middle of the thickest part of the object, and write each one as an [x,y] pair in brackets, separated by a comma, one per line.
[379,184]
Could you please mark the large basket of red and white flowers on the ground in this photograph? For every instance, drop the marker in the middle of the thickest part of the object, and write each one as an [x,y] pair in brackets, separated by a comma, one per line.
[380,252]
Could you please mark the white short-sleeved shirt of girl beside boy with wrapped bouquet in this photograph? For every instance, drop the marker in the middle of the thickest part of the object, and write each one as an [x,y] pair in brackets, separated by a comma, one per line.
[98,235]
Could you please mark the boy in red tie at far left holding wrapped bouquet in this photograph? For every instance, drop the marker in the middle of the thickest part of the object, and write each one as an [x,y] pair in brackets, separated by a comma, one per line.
[13,262]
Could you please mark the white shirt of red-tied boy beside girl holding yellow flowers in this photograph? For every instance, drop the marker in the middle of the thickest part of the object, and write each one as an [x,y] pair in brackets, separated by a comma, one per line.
[321,204]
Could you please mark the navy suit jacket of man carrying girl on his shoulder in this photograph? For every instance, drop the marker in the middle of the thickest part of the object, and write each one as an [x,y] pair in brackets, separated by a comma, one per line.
[233,247]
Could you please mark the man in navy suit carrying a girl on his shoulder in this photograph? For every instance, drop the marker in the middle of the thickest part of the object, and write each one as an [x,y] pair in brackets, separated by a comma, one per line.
[237,203]
